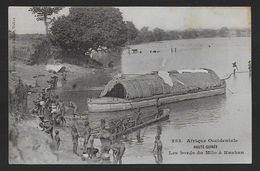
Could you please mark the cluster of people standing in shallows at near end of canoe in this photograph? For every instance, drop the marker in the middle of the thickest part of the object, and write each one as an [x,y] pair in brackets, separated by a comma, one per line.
[86,139]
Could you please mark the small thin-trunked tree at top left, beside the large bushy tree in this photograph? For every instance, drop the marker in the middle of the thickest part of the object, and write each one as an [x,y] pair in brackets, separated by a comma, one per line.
[44,14]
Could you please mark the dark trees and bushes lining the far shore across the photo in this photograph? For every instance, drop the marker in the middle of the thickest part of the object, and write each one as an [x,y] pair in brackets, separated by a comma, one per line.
[99,31]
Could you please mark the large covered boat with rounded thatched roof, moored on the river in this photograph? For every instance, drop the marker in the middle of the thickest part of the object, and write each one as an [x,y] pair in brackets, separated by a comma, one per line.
[157,88]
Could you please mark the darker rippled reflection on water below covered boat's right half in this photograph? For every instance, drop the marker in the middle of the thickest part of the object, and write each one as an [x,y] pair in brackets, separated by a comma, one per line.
[193,112]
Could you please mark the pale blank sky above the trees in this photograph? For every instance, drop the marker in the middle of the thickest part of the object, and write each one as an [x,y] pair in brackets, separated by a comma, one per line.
[167,18]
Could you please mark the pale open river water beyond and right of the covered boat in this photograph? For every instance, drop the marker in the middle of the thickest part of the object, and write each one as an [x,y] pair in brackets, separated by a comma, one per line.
[220,117]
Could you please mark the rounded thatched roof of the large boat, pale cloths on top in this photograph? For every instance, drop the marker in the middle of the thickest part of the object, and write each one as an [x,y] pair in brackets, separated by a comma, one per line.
[148,85]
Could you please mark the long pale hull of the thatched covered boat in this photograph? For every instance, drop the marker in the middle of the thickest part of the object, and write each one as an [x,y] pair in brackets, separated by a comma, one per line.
[117,104]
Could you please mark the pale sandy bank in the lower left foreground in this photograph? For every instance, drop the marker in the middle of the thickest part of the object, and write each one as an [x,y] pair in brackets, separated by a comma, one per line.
[36,147]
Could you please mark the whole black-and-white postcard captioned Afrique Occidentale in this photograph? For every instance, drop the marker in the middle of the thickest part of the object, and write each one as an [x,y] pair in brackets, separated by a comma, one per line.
[129,85]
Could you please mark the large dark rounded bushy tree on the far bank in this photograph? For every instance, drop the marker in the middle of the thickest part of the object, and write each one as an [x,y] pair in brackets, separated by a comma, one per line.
[87,29]
